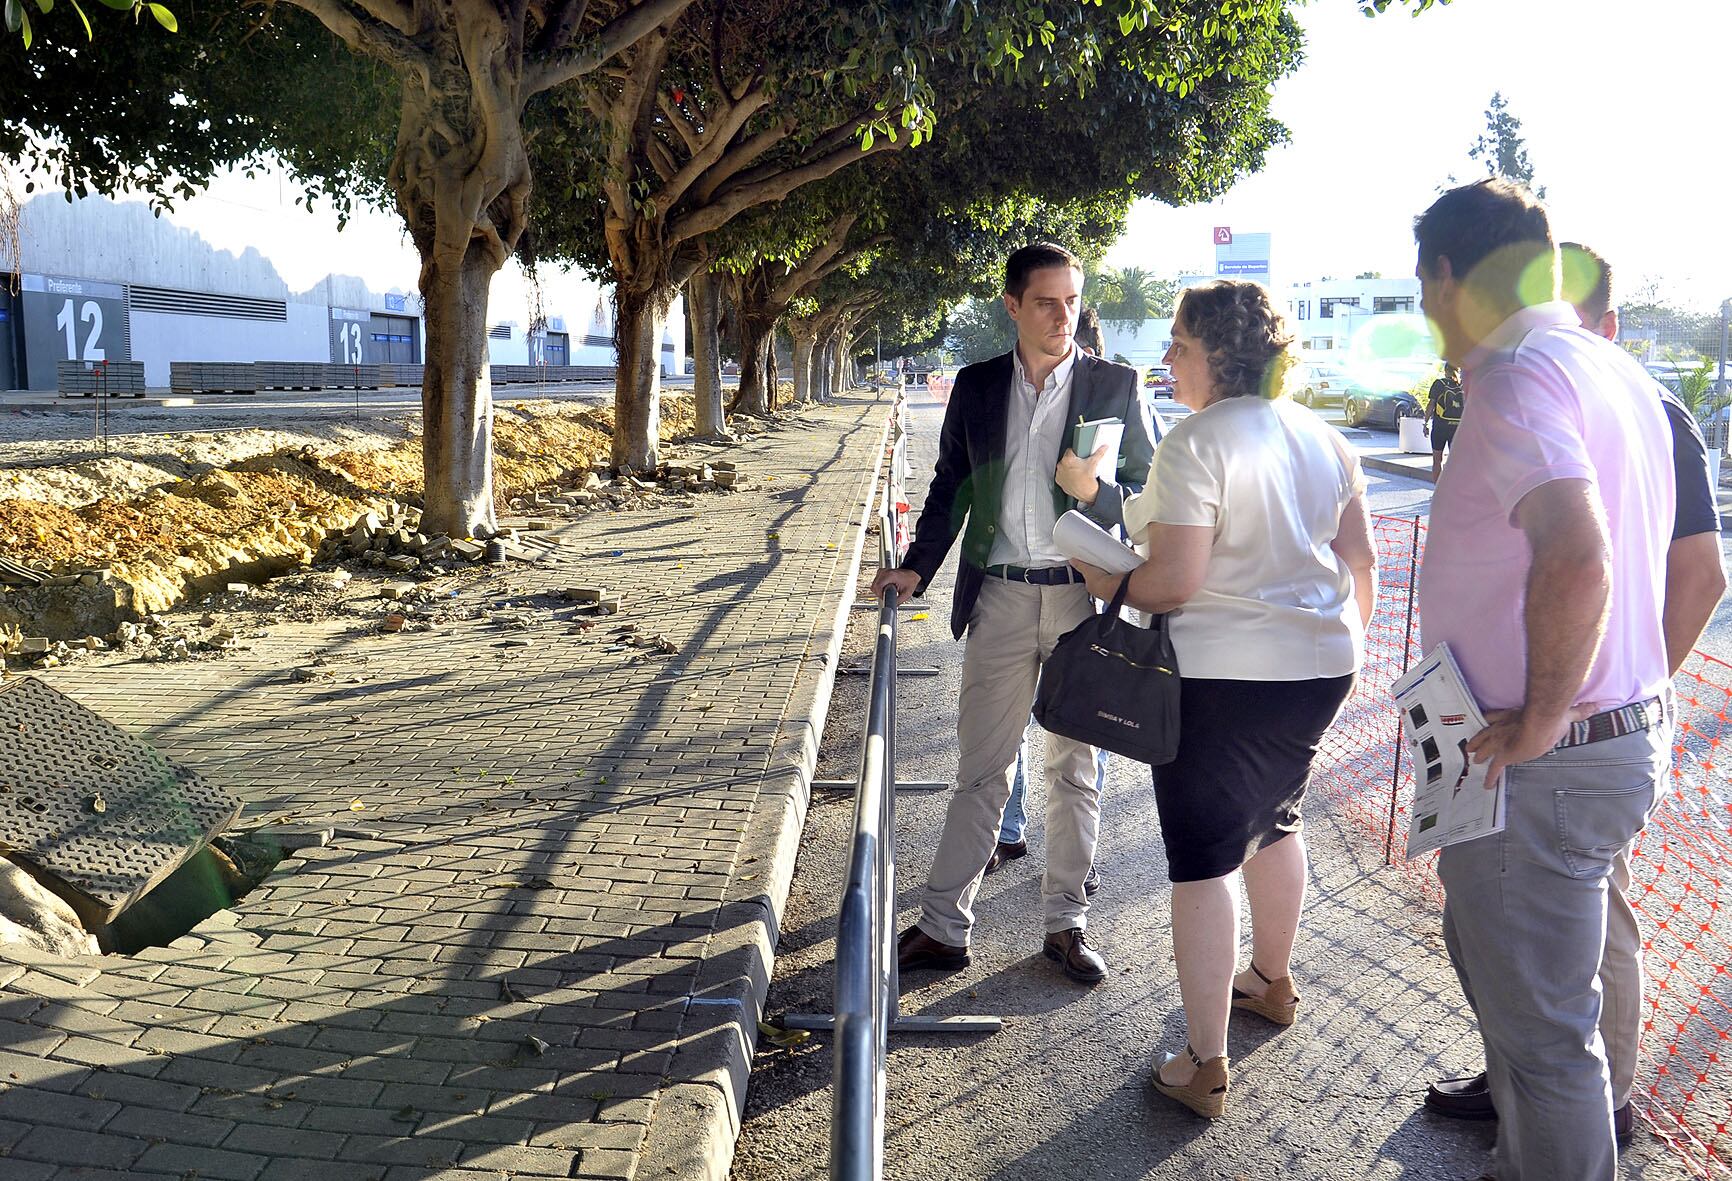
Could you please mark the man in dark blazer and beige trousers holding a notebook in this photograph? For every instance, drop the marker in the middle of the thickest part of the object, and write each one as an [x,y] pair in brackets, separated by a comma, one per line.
[1004,477]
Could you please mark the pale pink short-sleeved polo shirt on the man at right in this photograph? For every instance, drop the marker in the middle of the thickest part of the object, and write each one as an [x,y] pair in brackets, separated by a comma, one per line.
[1548,401]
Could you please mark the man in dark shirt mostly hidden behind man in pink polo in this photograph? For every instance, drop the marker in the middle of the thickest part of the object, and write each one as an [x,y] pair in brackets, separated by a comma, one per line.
[1695,584]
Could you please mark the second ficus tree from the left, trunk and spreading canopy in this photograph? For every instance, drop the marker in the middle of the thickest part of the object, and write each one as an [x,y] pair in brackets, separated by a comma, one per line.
[739,105]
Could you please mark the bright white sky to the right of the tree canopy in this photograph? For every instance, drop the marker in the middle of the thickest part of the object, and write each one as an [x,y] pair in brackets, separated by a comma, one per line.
[1622,106]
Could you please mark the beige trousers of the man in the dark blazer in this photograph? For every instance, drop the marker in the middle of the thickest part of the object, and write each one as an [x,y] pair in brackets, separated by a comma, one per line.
[1012,633]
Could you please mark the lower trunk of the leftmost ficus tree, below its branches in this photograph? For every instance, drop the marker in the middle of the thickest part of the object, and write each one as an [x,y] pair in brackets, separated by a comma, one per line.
[458,401]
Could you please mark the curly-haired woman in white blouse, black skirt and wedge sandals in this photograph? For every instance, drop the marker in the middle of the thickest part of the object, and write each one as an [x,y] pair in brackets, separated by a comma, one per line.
[1258,548]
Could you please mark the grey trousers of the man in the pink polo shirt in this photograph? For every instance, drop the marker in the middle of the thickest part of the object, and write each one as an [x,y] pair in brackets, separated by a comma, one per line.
[1525,920]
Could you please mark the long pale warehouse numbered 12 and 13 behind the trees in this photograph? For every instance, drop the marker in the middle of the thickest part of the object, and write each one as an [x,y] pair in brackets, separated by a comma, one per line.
[110,281]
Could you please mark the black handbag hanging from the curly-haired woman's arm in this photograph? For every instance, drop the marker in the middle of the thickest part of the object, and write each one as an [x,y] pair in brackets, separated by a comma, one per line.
[1115,685]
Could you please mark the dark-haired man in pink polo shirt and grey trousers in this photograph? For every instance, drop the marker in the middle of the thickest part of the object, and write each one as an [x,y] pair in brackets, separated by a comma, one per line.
[1546,576]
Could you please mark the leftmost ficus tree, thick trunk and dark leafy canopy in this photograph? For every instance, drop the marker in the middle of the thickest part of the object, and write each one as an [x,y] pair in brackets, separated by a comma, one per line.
[427,103]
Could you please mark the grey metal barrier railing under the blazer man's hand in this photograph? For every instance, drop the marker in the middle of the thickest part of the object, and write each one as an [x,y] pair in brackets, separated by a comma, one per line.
[867,995]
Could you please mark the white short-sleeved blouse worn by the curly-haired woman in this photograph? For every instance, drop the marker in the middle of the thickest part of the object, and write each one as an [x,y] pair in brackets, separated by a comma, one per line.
[1272,481]
